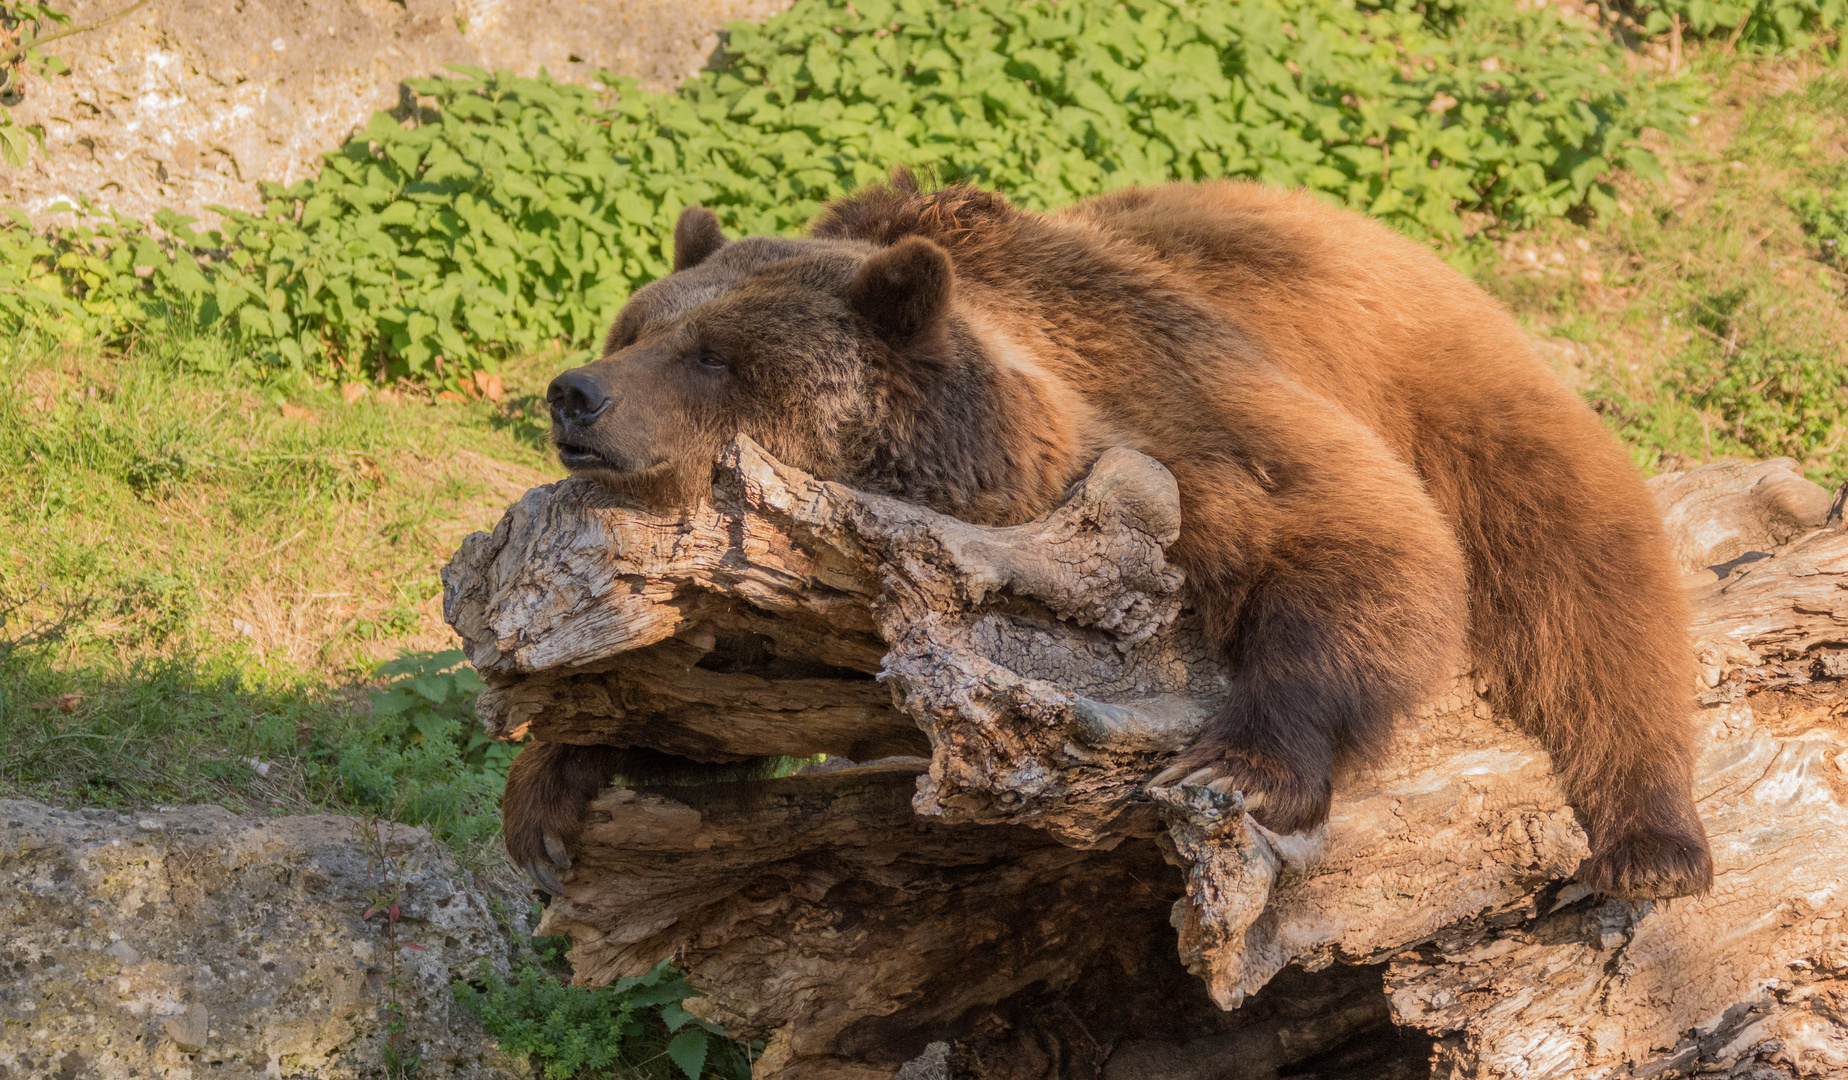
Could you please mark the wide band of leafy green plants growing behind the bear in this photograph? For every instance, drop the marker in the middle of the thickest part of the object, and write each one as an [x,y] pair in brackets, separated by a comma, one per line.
[513,214]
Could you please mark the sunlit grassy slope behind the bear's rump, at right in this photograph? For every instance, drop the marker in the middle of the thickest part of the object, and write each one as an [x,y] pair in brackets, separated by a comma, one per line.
[1707,317]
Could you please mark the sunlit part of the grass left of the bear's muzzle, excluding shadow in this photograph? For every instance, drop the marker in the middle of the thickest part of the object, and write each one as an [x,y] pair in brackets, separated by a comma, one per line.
[271,521]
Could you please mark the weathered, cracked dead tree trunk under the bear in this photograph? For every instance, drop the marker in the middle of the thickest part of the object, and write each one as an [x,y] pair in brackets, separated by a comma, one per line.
[979,859]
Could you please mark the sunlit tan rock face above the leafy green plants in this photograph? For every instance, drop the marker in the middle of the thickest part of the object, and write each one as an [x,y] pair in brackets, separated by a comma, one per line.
[191,104]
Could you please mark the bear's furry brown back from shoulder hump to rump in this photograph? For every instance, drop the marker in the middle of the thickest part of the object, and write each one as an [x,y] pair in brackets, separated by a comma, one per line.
[1167,306]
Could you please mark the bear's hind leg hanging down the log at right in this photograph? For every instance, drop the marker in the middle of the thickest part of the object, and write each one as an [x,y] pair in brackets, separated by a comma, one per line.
[1583,632]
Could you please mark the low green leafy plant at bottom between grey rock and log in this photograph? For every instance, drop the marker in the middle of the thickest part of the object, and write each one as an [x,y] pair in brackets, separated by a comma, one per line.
[635,1027]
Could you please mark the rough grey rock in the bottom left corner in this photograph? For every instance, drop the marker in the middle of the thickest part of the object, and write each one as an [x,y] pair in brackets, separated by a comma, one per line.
[195,944]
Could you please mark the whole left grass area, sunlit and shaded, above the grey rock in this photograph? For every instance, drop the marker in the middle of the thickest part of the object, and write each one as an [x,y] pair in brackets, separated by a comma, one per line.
[204,572]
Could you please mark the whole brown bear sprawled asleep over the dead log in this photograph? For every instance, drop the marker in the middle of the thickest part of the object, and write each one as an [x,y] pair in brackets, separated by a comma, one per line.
[1376,471]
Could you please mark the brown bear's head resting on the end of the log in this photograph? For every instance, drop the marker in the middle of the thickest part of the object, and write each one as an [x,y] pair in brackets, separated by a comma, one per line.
[838,356]
